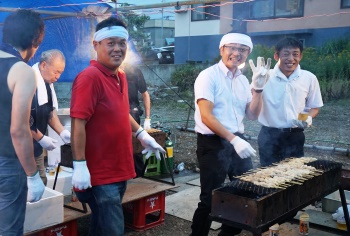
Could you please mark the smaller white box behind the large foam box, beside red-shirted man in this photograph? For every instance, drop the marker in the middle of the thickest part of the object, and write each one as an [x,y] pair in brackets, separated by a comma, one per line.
[63,183]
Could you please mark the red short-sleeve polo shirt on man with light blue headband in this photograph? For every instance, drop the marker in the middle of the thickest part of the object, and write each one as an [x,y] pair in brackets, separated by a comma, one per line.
[98,98]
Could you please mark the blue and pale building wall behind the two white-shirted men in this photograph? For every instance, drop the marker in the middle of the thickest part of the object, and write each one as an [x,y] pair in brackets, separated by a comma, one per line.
[321,22]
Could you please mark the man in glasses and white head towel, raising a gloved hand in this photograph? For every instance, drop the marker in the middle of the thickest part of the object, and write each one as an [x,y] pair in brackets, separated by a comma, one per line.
[223,97]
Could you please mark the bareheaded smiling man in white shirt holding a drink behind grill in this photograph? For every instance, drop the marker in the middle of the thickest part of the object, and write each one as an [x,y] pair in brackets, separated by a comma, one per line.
[288,92]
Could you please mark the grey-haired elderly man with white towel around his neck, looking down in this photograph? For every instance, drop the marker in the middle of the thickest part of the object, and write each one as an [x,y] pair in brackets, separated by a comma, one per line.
[45,106]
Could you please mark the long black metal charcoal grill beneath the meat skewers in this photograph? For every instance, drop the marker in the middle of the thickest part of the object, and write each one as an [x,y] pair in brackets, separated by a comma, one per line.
[255,208]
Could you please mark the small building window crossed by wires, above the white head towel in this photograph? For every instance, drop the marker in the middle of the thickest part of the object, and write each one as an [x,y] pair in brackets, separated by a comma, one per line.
[207,11]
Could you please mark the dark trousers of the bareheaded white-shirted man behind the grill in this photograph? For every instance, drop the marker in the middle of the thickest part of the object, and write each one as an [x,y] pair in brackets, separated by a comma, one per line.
[278,144]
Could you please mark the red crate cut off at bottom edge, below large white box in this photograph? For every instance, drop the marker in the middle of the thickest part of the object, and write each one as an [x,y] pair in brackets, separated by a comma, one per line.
[65,229]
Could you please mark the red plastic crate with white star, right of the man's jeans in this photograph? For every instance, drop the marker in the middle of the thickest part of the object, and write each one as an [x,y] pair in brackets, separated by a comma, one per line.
[145,213]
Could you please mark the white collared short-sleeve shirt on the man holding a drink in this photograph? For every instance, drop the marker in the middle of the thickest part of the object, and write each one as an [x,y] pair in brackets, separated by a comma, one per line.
[284,98]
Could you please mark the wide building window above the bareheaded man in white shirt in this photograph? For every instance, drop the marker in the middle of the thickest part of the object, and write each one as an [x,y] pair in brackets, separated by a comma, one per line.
[276,8]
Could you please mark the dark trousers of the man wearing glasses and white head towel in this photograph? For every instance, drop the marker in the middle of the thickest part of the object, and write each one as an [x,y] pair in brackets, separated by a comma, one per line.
[217,159]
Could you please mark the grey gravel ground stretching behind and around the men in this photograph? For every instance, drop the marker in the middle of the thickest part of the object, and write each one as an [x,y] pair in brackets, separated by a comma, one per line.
[329,136]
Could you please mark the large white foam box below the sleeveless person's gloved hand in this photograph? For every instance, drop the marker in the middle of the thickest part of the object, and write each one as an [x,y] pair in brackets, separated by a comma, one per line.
[44,213]
